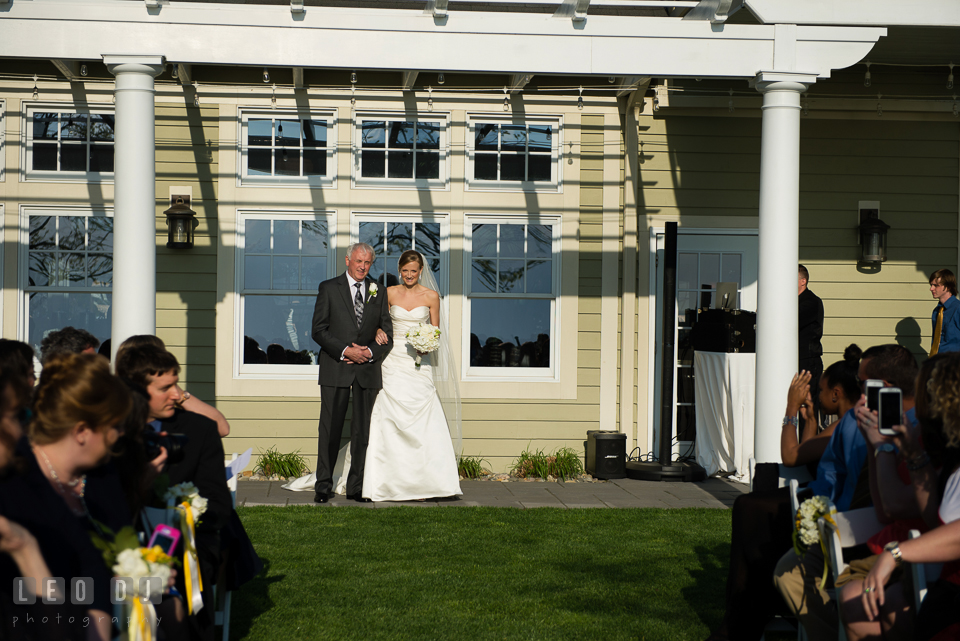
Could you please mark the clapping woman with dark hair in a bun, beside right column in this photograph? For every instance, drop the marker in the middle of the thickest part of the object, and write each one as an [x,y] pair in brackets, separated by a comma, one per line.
[763,519]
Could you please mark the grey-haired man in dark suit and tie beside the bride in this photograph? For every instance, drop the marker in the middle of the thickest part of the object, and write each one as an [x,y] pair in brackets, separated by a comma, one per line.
[349,310]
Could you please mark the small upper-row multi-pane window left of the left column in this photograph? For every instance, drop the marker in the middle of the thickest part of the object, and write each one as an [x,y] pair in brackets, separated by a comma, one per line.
[64,143]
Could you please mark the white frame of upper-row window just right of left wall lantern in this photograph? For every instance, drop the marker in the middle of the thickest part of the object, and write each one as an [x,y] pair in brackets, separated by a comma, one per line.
[329,180]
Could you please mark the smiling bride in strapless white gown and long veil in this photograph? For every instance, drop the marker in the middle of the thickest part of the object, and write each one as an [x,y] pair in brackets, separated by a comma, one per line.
[416,419]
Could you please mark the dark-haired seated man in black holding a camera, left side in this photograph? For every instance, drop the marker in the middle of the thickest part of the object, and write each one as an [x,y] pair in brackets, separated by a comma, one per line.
[200,462]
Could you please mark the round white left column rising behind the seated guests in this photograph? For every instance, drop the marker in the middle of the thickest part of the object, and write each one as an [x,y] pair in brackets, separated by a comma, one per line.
[134,227]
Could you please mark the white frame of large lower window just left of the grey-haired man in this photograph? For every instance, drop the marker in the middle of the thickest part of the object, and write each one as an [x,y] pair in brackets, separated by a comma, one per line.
[242,371]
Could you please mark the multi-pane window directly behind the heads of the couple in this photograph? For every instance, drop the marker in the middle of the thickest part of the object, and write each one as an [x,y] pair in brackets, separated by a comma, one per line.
[391,238]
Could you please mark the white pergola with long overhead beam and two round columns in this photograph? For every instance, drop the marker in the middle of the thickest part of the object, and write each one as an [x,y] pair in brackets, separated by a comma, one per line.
[796,44]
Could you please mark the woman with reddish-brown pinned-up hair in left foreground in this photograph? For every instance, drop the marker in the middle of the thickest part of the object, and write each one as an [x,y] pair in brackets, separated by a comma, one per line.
[77,408]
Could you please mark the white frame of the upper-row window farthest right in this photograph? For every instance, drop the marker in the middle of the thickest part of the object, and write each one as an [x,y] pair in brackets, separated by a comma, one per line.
[554,185]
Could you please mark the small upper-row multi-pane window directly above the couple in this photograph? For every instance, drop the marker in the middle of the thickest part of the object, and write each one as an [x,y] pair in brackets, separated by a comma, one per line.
[400,151]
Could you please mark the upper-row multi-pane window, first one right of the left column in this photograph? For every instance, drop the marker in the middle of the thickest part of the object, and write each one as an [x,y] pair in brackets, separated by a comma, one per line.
[286,148]
